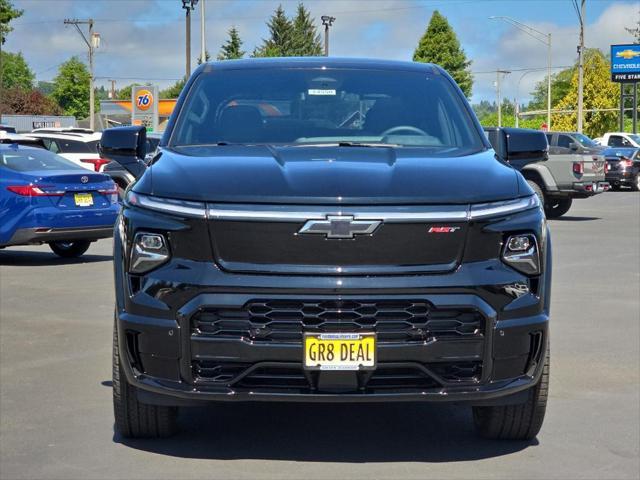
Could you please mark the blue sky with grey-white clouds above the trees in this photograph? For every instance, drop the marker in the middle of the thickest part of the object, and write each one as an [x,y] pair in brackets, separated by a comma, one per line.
[143,40]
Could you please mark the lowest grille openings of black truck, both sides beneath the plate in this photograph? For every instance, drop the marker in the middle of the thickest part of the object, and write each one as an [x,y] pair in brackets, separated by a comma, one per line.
[291,377]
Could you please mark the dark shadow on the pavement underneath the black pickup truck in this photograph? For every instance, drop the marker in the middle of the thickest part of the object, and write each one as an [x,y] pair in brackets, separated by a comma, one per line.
[393,432]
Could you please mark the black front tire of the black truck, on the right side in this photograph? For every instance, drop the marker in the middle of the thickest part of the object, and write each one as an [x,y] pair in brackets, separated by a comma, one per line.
[515,422]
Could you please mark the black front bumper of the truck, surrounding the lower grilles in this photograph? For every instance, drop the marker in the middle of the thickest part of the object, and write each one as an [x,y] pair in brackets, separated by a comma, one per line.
[163,355]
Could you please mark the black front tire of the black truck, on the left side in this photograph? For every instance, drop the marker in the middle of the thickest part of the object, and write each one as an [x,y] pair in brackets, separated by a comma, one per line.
[132,418]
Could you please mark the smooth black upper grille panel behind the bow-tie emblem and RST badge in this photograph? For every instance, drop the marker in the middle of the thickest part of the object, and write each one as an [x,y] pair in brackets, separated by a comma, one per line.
[277,247]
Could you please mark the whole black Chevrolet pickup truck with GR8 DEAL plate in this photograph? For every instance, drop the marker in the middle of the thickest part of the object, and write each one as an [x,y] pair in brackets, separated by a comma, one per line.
[329,230]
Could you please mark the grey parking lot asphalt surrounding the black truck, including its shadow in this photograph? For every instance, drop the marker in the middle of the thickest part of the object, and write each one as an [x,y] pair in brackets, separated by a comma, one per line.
[56,417]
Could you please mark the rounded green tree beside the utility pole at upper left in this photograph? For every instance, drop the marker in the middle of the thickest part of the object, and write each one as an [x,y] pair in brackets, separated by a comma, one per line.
[71,89]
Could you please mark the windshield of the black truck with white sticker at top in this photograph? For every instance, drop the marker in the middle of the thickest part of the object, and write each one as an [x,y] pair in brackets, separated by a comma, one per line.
[300,106]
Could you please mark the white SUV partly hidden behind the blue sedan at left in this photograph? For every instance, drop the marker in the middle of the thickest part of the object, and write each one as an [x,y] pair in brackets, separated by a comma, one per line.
[76,144]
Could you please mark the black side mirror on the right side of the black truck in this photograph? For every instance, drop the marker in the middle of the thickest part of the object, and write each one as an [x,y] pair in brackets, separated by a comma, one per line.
[519,146]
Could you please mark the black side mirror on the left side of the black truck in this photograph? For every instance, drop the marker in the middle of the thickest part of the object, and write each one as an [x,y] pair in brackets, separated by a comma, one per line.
[126,146]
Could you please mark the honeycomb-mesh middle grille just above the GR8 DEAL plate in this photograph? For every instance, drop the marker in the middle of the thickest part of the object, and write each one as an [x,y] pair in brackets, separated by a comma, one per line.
[286,321]
